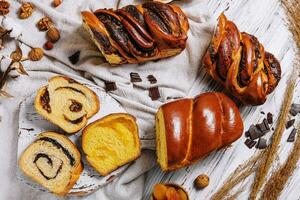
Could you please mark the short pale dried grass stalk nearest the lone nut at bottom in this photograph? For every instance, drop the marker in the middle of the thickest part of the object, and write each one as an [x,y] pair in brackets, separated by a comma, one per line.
[242,172]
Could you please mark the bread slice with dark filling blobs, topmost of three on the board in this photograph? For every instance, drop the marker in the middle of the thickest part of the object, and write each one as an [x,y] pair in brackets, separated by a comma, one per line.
[66,103]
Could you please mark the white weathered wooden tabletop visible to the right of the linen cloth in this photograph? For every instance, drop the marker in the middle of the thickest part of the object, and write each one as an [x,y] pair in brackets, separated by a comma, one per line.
[266,20]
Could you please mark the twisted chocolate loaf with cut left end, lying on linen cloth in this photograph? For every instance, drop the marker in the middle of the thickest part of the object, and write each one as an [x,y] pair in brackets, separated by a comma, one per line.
[137,33]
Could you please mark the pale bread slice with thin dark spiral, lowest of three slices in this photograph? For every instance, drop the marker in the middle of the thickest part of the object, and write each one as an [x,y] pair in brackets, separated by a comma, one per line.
[53,161]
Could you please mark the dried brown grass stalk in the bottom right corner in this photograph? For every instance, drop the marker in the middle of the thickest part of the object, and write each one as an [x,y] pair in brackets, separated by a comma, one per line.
[279,178]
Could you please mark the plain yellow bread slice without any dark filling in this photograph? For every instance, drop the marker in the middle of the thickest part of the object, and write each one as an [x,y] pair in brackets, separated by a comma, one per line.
[111,142]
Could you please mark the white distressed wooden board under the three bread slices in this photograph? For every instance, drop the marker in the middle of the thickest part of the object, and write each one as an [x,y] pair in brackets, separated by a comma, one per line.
[31,124]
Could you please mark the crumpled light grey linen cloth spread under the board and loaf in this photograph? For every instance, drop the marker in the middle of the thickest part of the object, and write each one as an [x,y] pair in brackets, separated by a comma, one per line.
[175,75]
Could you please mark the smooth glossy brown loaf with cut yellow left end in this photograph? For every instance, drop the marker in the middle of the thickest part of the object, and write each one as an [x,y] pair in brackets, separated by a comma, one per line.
[189,129]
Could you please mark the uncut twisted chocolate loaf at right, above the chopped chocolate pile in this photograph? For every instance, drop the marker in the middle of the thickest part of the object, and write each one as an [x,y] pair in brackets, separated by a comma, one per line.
[240,63]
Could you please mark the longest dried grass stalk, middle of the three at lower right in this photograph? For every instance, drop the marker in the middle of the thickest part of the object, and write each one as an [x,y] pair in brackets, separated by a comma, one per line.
[271,151]
